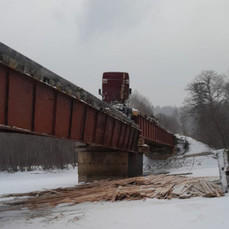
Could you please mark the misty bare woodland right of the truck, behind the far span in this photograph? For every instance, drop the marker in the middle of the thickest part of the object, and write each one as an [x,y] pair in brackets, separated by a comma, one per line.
[204,115]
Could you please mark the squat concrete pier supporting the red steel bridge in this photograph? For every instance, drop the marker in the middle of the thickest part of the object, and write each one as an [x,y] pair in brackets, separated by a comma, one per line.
[97,163]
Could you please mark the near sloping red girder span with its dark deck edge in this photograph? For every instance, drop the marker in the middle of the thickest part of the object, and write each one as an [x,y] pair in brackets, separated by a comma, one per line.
[36,101]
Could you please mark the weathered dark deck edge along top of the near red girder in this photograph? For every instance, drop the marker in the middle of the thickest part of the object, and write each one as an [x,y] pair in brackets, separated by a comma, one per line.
[21,63]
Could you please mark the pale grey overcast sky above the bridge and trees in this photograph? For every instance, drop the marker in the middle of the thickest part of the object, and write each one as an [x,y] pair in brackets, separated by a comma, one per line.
[162,44]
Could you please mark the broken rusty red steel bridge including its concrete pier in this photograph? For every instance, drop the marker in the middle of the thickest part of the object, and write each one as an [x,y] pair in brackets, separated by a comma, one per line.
[34,100]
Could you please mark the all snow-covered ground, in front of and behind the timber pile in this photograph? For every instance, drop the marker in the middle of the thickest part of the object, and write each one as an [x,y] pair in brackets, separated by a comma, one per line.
[191,213]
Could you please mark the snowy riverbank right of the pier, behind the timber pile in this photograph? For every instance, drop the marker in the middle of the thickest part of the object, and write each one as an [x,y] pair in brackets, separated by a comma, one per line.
[199,160]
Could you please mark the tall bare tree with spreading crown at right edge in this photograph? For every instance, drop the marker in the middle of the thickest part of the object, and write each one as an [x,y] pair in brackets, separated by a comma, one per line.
[206,104]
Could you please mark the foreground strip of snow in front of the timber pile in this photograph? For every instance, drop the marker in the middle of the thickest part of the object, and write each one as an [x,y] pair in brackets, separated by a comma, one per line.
[196,213]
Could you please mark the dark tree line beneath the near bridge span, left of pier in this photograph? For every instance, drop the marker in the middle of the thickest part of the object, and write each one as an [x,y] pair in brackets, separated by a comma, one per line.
[26,152]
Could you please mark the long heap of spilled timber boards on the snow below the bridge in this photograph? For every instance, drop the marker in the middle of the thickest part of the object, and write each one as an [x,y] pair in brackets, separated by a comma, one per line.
[136,188]
